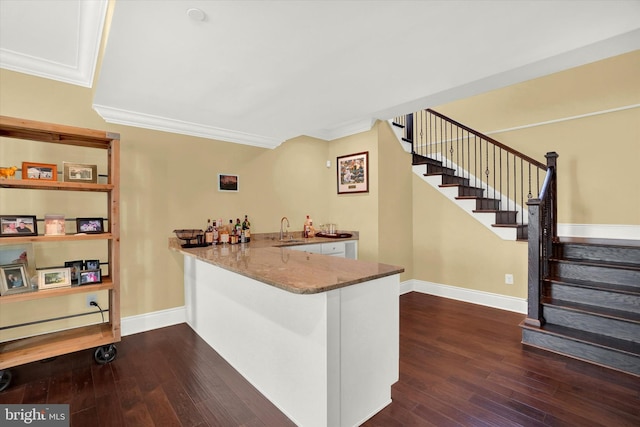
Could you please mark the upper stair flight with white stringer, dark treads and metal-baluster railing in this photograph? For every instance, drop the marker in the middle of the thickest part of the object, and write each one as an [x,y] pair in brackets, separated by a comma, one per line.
[486,178]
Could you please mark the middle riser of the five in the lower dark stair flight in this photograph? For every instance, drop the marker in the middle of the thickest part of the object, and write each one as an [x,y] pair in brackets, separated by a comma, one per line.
[613,300]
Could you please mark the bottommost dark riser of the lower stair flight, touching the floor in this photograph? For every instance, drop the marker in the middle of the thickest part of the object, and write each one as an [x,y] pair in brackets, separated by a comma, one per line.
[583,351]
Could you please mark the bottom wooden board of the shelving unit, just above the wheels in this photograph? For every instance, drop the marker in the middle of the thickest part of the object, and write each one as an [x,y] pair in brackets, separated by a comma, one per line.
[39,347]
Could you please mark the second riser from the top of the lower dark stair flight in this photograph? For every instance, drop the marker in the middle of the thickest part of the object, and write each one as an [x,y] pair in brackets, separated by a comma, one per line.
[596,273]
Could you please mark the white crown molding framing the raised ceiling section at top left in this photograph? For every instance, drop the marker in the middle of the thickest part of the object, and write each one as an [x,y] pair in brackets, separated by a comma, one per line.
[89,26]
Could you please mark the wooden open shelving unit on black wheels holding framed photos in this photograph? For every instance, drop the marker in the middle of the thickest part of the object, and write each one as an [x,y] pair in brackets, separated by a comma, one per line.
[101,336]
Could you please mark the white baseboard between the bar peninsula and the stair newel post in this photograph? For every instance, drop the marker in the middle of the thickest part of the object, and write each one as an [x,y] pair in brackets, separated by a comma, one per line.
[503,302]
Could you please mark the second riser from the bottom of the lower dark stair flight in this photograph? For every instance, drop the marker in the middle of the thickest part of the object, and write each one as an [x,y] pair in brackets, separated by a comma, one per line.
[592,323]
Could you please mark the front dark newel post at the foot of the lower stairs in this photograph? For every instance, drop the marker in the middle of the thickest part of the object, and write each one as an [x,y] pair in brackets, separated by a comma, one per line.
[534,276]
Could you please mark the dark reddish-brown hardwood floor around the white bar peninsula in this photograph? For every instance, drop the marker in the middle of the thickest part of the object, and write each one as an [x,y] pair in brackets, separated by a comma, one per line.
[460,364]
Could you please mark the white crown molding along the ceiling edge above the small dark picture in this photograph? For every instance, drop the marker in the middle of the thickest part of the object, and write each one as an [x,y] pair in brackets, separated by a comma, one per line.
[129,118]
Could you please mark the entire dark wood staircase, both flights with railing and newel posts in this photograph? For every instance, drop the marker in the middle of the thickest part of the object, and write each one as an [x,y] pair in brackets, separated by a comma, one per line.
[583,294]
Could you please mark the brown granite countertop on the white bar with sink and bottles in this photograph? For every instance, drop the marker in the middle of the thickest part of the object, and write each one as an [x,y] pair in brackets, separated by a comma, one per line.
[268,260]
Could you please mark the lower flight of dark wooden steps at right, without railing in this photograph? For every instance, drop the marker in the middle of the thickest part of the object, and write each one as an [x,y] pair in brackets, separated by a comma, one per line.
[591,304]
